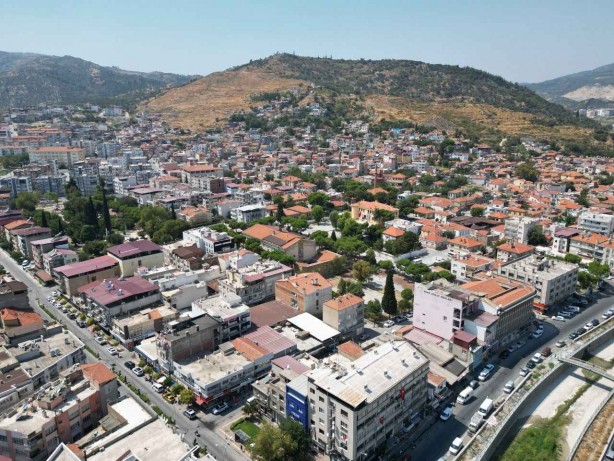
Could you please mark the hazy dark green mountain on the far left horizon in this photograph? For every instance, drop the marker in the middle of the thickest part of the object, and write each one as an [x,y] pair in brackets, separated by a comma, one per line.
[30,79]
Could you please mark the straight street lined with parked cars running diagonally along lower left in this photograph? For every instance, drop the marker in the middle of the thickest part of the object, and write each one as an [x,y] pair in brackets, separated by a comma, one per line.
[217,445]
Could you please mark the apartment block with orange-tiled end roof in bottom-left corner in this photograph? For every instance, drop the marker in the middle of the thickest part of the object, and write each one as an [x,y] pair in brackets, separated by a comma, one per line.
[63,412]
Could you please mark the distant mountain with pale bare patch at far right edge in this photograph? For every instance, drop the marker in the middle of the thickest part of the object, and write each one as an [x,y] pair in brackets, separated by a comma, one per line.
[588,89]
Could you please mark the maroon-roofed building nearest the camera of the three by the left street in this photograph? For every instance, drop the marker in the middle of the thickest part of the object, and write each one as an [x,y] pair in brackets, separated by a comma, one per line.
[115,296]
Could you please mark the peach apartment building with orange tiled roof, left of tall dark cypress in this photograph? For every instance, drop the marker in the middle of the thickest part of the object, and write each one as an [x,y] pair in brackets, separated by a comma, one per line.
[304,292]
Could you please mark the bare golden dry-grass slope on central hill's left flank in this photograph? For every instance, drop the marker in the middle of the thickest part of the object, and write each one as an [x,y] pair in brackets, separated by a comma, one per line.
[212,99]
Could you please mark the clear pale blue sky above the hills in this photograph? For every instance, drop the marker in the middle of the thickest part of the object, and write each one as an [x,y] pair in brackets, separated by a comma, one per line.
[521,40]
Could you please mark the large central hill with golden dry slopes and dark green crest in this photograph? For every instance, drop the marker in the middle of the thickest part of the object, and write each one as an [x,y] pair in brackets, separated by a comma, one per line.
[444,96]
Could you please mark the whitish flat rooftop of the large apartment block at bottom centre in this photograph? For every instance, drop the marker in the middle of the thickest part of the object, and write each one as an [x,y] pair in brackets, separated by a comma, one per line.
[371,375]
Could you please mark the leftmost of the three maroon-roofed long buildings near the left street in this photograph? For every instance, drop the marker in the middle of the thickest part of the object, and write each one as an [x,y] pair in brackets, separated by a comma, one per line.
[72,276]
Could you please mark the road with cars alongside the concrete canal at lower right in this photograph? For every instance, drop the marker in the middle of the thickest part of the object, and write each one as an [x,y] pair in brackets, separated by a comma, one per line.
[434,443]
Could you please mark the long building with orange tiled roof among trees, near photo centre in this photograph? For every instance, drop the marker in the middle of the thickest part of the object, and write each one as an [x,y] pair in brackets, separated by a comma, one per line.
[272,238]
